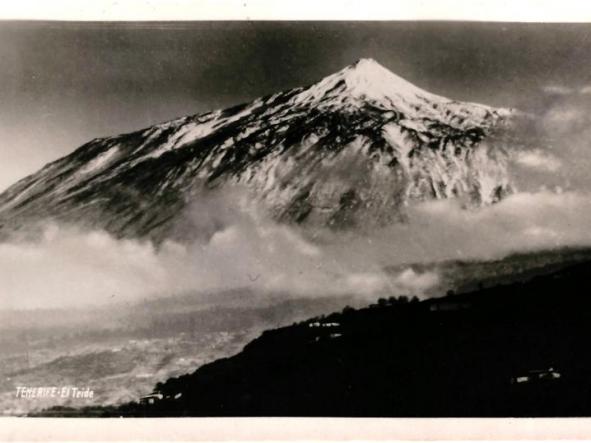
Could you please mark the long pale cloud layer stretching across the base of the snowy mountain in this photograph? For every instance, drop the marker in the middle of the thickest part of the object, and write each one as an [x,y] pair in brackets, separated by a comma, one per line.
[69,267]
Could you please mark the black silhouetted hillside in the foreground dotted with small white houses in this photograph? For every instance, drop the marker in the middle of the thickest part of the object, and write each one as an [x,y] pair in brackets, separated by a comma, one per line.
[517,350]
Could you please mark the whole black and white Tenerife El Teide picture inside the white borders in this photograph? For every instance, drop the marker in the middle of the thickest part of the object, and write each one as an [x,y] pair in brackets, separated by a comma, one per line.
[289,218]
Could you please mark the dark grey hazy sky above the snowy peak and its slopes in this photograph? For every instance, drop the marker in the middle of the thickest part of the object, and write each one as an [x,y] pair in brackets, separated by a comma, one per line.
[62,84]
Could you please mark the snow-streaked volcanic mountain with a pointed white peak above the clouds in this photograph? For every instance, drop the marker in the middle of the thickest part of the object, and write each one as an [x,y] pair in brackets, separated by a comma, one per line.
[360,143]
